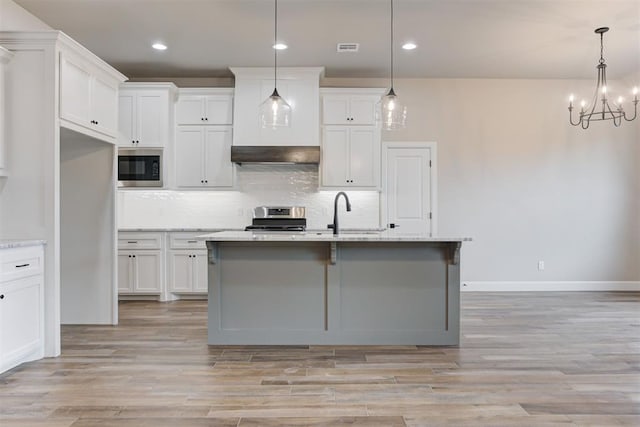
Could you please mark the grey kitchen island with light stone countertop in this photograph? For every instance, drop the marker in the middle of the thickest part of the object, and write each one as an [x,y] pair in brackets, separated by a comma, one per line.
[374,288]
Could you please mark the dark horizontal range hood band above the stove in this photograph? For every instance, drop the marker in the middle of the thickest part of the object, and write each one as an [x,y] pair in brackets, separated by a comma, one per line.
[276,154]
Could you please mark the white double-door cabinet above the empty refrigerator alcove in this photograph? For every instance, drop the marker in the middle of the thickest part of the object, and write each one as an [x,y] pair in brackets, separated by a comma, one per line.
[88,97]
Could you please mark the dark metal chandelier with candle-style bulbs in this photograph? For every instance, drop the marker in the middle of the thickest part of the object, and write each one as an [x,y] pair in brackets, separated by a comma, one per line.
[599,108]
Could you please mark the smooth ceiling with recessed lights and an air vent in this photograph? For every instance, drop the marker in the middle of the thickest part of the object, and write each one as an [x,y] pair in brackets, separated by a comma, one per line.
[456,38]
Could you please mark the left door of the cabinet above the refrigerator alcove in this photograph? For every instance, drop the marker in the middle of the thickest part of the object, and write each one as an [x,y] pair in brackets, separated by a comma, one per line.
[75,93]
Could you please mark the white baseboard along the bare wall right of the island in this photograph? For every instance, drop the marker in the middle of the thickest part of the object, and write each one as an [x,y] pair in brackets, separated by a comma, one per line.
[565,286]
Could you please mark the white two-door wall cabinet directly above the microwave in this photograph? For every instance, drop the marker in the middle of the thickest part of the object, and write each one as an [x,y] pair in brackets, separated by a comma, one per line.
[145,114]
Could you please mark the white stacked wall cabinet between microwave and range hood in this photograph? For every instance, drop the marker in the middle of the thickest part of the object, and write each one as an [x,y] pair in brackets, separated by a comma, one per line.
[203,150]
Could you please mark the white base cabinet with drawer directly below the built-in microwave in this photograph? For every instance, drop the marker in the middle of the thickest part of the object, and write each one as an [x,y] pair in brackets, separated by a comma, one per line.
[140,263]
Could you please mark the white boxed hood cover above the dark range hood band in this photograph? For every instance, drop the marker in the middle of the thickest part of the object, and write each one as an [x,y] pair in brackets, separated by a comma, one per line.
[298,86]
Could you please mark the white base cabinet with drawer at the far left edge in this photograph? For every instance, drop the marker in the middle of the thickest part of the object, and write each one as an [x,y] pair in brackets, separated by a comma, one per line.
[21,305]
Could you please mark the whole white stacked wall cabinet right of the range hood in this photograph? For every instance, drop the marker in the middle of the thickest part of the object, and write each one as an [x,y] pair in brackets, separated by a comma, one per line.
[350,139]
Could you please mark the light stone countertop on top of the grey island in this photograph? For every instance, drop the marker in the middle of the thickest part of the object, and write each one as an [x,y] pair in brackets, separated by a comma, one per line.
[326,236]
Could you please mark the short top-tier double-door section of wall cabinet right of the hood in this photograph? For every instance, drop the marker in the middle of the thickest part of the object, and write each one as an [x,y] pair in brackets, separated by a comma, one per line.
[350,106]
